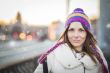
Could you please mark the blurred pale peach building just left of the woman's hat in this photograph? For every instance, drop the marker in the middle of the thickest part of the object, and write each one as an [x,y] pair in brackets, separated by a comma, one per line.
[55,30]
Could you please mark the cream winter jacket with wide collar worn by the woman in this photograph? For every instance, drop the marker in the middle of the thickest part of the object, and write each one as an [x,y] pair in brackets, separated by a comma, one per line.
[65,60]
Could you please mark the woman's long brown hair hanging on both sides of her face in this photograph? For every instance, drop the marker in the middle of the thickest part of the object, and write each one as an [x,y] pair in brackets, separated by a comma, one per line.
[90,40]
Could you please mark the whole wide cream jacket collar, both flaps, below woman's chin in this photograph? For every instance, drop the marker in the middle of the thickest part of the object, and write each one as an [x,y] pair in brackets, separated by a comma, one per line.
[65,57]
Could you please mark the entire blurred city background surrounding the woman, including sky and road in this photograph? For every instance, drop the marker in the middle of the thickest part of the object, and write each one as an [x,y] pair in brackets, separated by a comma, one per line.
[30,27]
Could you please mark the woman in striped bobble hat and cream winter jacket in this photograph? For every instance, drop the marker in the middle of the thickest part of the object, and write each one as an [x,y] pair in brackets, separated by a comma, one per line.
[76,51]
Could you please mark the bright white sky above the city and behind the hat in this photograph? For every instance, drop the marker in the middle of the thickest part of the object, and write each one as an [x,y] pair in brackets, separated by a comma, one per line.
[43,12]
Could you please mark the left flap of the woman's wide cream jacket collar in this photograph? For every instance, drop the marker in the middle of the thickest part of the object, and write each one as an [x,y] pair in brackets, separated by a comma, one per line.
[65,56]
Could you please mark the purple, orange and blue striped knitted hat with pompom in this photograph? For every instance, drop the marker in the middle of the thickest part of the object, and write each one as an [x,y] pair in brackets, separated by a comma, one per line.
[78,15]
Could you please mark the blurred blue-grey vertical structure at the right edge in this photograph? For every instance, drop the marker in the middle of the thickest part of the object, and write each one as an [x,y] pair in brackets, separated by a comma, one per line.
[104,24]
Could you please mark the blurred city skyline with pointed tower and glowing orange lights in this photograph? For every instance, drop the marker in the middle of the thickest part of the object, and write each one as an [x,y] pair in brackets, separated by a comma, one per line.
[17,30]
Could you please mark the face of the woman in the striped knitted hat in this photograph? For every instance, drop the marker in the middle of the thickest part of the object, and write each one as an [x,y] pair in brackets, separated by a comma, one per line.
[76,34]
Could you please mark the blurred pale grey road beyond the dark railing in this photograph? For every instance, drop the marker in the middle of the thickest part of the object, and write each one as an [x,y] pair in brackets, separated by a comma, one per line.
[13,52]
